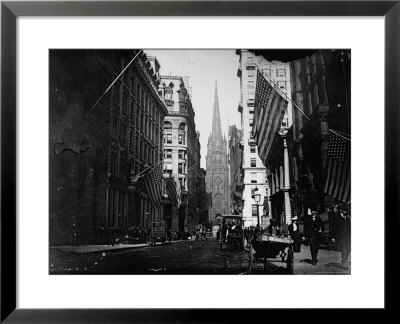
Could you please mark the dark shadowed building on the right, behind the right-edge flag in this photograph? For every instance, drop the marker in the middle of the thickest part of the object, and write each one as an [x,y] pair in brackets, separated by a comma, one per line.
[321,88]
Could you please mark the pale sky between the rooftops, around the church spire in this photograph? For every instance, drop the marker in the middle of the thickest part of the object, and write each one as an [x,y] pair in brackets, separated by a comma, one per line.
[204,67]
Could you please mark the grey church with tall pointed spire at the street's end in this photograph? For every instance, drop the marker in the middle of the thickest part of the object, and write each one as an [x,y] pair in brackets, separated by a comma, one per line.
[217,179]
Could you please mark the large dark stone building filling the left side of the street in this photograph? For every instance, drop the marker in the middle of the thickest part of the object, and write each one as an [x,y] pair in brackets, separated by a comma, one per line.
[98,142]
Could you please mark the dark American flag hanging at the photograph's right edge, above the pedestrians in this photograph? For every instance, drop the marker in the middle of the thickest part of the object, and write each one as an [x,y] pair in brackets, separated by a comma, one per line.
[337,172]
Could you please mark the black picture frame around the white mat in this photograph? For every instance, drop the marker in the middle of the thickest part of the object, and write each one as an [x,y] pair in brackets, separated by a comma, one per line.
[10,10]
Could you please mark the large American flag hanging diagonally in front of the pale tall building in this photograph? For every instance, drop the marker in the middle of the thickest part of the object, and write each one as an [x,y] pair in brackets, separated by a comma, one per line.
[269,111]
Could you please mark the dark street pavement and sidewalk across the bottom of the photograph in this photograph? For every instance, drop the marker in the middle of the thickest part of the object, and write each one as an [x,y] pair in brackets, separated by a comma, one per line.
[184,257]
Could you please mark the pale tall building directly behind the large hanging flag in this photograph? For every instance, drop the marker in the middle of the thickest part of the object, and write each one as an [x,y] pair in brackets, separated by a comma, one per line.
[255,172]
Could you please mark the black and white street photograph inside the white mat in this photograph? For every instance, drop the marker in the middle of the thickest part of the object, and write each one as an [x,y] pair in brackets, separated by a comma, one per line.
[200,161]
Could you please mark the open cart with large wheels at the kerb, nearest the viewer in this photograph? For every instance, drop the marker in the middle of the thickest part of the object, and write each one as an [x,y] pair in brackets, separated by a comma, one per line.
[267,246]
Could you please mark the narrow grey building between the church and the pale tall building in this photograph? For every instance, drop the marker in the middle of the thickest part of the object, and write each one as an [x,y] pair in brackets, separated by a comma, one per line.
[236,170]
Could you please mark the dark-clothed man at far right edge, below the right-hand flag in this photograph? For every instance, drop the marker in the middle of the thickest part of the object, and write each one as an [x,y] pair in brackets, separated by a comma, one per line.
[342,232]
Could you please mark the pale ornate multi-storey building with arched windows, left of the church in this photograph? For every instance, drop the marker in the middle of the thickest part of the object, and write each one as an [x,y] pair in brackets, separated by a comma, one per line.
[181,152]
